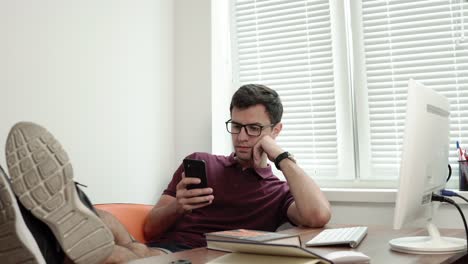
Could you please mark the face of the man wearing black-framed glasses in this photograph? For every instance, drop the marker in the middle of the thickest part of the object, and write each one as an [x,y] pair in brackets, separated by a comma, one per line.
[242,142]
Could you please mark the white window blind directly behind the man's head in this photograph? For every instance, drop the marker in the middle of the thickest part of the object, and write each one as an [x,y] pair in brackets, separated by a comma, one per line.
[287,45]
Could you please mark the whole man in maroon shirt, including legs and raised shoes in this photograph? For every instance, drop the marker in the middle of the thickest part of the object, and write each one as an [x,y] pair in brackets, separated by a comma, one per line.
[61,224]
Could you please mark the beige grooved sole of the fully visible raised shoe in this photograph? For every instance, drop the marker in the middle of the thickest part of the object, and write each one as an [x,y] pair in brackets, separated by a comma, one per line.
[42,178]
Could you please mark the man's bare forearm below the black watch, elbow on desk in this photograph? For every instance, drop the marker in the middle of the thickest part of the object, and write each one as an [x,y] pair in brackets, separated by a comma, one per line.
[312,206]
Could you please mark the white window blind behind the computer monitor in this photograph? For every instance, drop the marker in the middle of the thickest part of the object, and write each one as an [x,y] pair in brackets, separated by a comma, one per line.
[411,39]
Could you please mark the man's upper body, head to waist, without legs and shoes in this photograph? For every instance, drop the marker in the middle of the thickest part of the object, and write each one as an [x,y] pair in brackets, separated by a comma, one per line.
[242,190]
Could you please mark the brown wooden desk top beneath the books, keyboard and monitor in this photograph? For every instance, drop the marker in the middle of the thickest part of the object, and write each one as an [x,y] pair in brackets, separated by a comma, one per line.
[375,245]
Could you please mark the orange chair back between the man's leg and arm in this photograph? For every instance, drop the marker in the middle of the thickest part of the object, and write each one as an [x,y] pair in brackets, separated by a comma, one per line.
[132,216]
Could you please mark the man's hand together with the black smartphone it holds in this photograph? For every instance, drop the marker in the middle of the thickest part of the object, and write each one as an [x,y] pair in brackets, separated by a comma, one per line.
[192,190]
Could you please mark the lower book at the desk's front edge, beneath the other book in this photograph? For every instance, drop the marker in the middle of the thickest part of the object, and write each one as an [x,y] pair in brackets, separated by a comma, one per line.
[258,252]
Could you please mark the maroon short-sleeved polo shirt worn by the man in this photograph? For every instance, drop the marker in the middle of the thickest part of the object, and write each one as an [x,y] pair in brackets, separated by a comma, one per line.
[250,198]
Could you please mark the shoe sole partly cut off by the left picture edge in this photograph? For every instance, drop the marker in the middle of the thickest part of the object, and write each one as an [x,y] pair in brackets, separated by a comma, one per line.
[17,245]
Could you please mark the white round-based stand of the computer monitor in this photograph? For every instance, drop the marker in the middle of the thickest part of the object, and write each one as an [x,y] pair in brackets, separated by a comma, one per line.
[432,244]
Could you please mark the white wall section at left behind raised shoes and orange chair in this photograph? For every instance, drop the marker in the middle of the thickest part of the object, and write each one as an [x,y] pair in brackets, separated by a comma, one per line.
[99,75]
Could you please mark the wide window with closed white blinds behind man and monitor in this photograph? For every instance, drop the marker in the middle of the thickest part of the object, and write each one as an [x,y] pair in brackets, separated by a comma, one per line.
[341,69]
